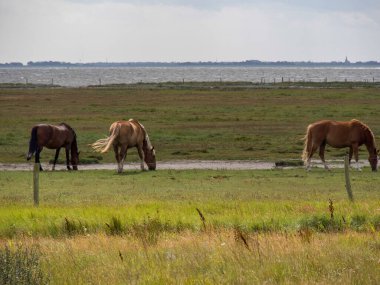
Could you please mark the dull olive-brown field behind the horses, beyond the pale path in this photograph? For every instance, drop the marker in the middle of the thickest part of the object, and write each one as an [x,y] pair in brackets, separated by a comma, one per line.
[213,122]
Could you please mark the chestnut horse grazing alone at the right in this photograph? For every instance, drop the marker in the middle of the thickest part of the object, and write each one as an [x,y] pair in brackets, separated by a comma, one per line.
[350,134]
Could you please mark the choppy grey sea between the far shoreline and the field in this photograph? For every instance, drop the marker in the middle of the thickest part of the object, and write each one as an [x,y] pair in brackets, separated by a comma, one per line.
[87,76]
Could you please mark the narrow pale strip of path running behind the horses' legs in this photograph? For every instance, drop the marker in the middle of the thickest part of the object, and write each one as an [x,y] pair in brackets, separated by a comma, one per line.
[175,165]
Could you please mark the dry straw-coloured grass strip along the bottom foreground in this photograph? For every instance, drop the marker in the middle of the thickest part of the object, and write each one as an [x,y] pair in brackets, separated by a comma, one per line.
[215,257]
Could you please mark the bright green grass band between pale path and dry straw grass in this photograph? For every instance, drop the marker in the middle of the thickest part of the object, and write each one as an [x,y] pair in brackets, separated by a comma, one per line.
[260,201]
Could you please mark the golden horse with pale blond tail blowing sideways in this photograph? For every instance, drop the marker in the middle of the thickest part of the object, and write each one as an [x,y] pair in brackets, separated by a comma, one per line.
[125,135]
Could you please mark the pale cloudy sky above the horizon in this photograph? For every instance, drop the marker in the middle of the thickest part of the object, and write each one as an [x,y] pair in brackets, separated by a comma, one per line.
[189,30]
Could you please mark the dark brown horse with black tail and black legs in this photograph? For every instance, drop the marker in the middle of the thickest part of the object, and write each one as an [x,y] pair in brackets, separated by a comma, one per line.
[54,137]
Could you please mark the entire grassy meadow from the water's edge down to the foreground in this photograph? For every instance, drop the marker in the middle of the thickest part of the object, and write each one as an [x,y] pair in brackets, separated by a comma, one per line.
[279,226]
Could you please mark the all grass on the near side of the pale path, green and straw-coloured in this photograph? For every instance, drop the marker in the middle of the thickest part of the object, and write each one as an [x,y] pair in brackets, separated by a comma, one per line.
[97,227]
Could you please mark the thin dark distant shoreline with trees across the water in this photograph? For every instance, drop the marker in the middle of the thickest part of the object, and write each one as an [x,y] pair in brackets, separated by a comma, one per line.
[247,63]
